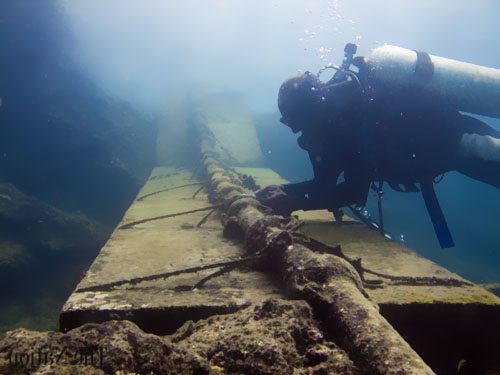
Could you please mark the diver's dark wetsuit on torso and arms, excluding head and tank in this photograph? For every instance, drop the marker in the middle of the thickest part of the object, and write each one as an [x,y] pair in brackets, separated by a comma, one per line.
[402,138]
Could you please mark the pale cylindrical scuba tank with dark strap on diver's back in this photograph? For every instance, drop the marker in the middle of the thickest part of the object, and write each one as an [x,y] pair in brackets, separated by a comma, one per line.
[467,87]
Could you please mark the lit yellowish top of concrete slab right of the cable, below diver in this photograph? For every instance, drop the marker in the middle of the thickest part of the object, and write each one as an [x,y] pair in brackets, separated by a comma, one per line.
[387,257]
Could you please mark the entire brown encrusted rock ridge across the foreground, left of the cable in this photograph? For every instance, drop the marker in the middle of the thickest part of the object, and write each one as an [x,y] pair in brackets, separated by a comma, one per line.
[275,337]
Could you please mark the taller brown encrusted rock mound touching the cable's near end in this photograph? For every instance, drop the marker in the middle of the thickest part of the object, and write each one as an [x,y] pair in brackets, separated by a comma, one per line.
[275,337]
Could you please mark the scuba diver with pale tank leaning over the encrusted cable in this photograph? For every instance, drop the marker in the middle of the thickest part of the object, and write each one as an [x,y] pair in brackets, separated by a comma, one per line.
[390,122]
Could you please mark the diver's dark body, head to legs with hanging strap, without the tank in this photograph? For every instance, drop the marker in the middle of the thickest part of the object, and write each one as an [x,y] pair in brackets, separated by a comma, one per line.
[357,136]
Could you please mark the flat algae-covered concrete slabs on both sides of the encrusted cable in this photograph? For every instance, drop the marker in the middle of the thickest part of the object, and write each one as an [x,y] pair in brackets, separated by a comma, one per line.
[176,243]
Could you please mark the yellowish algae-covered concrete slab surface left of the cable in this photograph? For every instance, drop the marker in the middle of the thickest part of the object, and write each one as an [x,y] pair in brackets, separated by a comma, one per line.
[159,246]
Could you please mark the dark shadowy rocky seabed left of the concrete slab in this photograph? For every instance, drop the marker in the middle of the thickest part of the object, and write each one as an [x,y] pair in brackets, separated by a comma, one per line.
[43,251]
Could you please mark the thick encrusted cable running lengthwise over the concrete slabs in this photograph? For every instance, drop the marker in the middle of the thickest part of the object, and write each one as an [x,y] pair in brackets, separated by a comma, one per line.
[327,282]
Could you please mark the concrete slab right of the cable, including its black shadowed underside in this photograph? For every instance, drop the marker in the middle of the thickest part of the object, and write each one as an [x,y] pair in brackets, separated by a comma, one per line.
[443,323]
